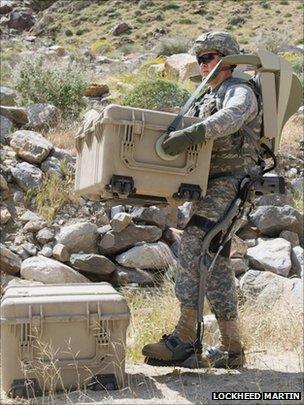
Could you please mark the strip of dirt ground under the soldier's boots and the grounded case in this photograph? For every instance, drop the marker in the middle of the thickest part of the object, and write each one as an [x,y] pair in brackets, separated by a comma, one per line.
[151,385]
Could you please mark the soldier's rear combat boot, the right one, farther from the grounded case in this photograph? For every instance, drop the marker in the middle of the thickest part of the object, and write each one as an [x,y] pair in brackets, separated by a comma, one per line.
[230,352]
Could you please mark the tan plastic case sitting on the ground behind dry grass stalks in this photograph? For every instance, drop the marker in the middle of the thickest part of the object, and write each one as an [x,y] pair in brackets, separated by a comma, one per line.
[61,337]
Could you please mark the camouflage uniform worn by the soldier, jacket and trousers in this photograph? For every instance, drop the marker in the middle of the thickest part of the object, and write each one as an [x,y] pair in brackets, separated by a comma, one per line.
[232,119]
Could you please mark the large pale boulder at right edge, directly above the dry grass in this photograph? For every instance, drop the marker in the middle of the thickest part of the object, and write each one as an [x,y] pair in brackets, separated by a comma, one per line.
[270,290]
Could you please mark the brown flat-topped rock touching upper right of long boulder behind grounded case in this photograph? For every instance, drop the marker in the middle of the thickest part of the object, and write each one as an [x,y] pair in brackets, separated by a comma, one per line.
[92,263]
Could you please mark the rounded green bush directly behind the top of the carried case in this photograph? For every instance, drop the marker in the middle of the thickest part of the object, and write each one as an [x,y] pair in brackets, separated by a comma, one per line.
[156,95]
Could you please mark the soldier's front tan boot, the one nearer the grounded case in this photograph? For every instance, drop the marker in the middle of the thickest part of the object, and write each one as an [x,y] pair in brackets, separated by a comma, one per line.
[185,332]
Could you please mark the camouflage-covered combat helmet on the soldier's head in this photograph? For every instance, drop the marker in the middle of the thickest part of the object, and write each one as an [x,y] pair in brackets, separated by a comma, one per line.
[222,41]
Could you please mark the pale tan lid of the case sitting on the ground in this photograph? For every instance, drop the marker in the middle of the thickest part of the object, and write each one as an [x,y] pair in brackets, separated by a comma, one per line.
[19,302]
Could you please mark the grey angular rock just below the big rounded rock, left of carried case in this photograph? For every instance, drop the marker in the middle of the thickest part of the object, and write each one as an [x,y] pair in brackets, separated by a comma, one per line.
[27,176]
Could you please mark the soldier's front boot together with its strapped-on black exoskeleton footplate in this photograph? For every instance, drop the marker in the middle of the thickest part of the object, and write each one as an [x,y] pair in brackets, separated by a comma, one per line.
[173,349]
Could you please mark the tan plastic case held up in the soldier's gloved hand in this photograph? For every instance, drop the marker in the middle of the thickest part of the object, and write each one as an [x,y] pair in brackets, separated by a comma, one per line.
[123,144]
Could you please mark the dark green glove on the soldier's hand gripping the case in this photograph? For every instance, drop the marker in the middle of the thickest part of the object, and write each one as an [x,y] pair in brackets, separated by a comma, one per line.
[178,141]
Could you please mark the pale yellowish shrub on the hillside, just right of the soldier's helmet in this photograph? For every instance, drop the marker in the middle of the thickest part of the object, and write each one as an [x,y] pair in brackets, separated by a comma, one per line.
[271,40]
